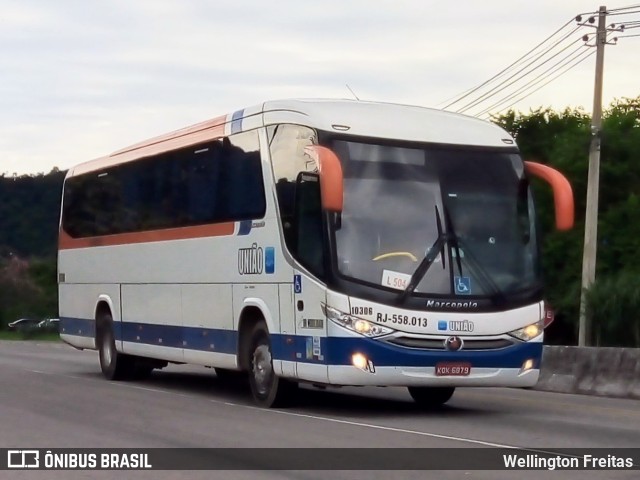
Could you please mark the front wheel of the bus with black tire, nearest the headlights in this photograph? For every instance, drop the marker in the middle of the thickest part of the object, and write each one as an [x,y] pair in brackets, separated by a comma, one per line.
[268,390]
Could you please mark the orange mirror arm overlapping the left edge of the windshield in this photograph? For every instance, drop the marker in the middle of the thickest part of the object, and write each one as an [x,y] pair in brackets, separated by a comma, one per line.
[331,178]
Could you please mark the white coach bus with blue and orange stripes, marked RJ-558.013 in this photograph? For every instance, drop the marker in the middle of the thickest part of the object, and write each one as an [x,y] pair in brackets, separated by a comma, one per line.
[329,242]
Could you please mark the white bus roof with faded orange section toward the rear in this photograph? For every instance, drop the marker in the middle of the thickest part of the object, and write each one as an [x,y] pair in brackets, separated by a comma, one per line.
[372,119]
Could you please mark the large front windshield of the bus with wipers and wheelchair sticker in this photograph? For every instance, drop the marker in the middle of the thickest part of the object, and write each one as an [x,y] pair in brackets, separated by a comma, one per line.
[400,198]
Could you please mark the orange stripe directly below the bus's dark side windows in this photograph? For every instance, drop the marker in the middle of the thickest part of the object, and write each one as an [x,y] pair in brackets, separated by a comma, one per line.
[66,242]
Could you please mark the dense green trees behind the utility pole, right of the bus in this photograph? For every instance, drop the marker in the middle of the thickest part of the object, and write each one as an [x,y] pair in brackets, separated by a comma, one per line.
[561,140]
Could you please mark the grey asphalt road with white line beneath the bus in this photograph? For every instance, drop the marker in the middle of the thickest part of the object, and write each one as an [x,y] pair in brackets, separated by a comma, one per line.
[52,396]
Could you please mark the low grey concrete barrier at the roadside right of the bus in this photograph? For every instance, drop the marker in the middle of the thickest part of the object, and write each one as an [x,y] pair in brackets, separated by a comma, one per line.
[611,372]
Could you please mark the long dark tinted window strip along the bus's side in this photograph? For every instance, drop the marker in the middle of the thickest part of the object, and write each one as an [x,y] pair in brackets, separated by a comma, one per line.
[216,182]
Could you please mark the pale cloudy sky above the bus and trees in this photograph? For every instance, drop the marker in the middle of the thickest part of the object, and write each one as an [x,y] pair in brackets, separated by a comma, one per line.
[81,79]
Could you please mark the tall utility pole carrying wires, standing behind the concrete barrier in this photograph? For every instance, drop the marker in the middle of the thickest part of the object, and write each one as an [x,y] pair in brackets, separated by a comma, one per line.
[591,214]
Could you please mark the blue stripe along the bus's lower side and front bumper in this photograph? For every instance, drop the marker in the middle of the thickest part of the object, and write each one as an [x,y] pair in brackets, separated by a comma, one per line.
[299,348]
